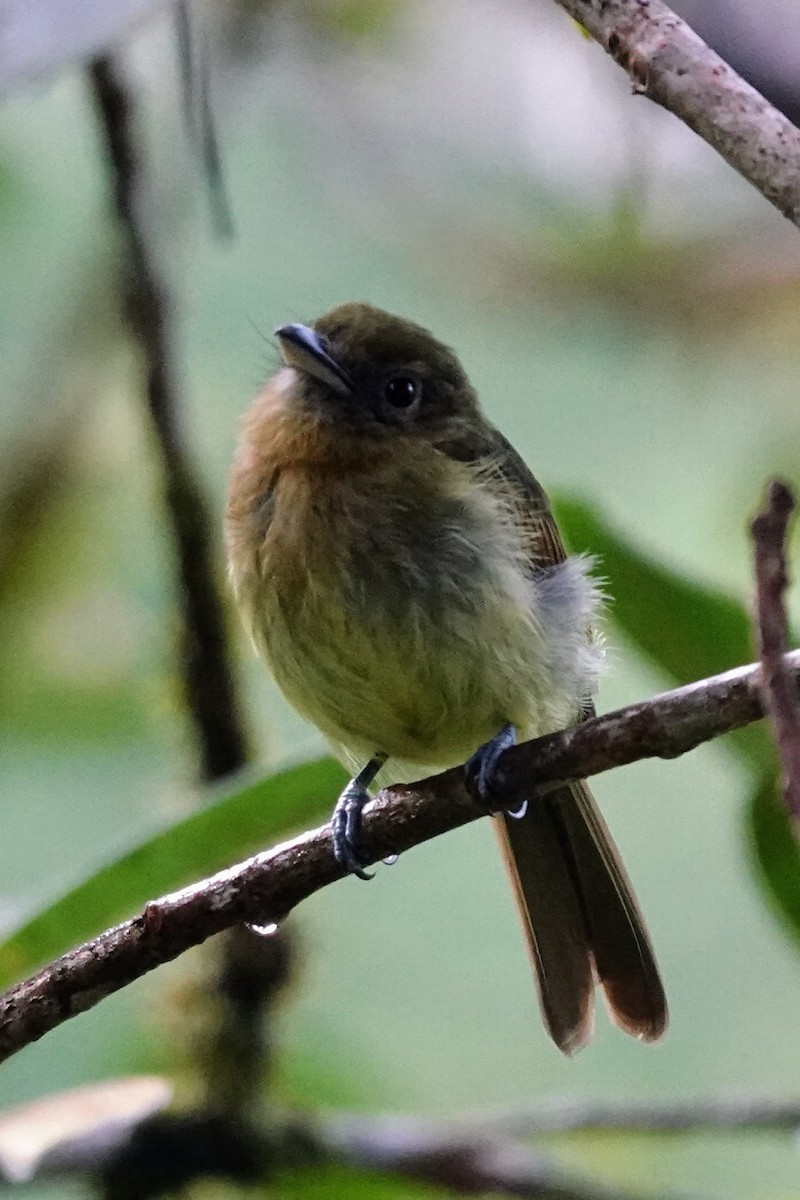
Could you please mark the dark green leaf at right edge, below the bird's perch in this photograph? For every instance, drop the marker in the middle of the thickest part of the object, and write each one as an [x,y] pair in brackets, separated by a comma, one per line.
[777,851]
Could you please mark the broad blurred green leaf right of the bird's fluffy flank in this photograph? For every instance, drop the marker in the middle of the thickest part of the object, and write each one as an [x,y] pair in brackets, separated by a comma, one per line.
[688,629]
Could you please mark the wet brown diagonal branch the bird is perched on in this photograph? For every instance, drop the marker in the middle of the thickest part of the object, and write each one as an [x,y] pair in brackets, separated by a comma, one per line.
[269,886]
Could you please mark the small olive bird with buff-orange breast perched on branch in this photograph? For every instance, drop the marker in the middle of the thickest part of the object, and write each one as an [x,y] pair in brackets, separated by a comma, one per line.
[401,574]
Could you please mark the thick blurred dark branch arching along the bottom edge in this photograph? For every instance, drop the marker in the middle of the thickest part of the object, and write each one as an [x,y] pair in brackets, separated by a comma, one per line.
[143,1157]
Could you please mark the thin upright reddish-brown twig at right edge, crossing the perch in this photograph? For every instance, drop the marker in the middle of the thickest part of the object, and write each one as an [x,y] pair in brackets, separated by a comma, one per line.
[769,531]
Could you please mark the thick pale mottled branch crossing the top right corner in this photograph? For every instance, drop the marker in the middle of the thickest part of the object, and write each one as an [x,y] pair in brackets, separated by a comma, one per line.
[671,65]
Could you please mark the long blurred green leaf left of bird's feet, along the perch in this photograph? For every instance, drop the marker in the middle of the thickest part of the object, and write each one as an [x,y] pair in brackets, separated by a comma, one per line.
[237,825]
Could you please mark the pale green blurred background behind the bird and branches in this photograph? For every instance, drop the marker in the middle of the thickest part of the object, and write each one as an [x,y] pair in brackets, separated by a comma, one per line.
[628,309]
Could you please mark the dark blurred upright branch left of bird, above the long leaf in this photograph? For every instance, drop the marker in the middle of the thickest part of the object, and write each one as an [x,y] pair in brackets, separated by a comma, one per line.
[208,681]
